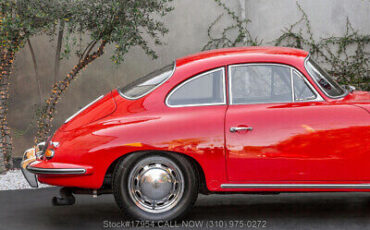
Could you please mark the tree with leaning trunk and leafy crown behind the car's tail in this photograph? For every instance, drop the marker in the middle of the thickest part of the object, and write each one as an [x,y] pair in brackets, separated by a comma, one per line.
[124,24]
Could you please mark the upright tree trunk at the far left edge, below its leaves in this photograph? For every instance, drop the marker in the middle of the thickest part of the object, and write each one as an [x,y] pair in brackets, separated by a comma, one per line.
[7,58]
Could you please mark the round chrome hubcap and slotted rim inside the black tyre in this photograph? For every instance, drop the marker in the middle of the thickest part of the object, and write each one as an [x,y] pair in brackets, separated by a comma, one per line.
[156,184]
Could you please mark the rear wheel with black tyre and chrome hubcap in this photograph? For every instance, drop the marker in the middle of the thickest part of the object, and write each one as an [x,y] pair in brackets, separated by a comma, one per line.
[155,186]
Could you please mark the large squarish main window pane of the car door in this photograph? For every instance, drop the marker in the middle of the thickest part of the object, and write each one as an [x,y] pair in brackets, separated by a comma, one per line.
[260,84]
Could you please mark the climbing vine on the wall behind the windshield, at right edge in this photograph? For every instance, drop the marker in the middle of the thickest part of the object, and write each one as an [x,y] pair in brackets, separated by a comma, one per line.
[345,57]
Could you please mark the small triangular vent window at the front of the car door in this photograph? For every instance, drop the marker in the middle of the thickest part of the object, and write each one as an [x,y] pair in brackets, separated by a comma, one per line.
[302,92]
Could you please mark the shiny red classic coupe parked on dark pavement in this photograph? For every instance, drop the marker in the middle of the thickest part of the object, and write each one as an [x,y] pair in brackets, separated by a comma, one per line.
[239,120]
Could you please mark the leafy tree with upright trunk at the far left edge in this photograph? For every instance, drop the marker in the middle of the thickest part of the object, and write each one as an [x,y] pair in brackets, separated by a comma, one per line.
[19,20]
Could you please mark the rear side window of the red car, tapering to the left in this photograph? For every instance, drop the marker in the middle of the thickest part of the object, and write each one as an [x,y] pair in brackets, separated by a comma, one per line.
[204,89]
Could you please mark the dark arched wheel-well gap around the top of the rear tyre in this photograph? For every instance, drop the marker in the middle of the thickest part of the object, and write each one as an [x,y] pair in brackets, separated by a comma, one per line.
[202,179]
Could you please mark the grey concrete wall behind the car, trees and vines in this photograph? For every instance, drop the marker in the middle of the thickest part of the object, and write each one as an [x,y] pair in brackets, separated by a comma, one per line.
[188,25]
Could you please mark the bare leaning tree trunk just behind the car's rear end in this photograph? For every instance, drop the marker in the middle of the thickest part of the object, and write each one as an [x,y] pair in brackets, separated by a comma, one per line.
[48,112]
